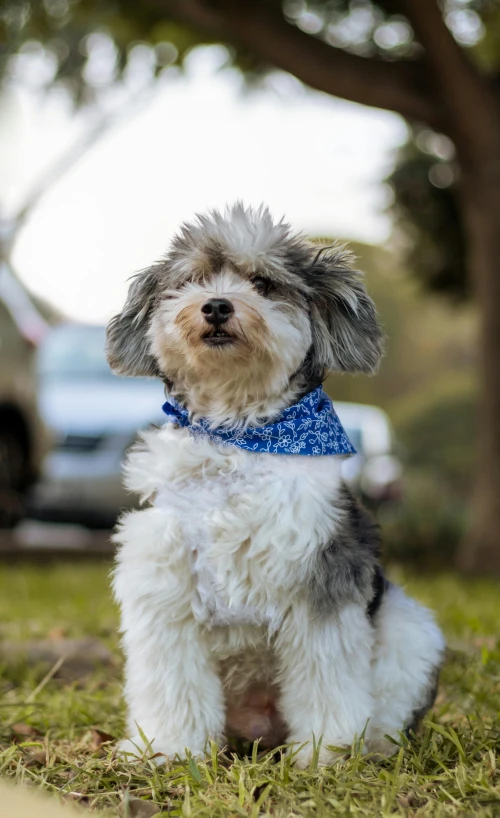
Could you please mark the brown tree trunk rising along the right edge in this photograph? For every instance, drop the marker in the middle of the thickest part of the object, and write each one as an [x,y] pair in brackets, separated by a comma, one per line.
[472,106]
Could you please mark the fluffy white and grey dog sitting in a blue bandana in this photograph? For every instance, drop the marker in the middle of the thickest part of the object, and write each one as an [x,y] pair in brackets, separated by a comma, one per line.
[253,604]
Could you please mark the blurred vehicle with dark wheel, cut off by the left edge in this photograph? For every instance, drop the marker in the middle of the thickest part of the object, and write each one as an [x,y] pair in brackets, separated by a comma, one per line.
[22,438]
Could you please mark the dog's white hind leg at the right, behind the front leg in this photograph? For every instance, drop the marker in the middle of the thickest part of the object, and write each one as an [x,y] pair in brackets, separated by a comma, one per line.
[408,653]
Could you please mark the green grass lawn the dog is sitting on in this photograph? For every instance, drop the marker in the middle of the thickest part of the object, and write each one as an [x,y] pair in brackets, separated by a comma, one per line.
[450,770]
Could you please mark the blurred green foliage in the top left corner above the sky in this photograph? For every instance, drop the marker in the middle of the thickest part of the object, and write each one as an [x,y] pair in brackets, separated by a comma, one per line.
[88,46]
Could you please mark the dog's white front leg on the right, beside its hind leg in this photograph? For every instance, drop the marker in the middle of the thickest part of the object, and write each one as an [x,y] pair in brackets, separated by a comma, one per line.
[325,678]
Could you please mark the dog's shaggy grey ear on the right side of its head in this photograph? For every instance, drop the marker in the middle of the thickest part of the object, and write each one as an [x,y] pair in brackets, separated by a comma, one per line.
[346,332]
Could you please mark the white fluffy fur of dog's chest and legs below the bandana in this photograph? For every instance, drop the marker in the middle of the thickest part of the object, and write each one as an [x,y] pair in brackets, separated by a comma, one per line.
[212,574]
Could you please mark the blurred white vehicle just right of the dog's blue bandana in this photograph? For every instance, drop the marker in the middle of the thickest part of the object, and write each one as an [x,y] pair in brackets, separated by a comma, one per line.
[375,471]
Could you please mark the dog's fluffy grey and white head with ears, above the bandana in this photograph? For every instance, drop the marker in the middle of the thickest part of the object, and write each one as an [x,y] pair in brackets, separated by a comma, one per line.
[240,301]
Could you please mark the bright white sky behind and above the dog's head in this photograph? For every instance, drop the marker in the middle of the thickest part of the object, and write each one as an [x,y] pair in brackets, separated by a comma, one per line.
[201,141]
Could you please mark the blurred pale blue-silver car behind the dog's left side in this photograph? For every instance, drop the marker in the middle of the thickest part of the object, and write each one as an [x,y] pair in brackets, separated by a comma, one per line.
[94,416]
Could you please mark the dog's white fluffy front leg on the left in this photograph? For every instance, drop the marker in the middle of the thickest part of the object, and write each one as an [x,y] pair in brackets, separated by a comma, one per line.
[173,690]
